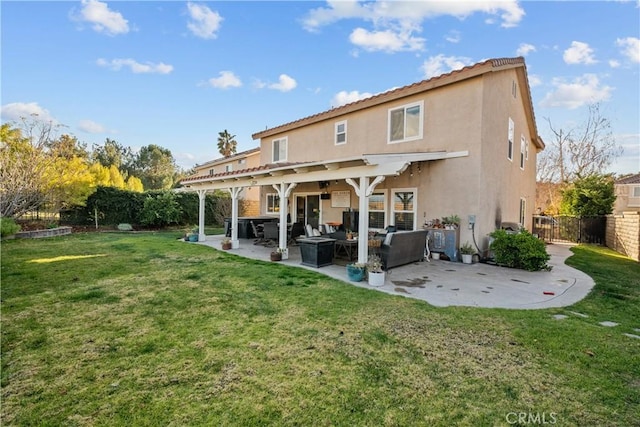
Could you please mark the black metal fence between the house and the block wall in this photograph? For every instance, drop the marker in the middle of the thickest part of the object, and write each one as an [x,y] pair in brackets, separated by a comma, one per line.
[571,229]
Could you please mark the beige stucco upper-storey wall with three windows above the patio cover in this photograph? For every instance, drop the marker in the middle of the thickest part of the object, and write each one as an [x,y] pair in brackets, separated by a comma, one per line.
[450,117]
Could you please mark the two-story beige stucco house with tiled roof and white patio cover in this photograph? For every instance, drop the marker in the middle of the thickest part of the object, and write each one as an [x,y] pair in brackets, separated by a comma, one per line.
[463,143]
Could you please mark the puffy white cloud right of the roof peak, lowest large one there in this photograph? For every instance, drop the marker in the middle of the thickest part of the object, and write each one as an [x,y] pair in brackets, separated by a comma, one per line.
[581,91]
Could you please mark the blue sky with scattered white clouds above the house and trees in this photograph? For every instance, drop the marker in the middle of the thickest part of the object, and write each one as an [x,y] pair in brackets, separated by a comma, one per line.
[176,73]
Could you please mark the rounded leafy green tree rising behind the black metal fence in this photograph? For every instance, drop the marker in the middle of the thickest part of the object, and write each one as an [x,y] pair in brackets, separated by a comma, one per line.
[589,196]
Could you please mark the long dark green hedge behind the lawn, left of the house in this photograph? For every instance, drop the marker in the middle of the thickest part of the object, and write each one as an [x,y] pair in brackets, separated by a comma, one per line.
[152,208]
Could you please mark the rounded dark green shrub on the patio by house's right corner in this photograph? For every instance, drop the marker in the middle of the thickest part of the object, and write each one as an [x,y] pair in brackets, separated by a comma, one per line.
[519,250]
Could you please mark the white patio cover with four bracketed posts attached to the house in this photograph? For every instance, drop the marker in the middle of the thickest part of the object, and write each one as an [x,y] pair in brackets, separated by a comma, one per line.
[362,173]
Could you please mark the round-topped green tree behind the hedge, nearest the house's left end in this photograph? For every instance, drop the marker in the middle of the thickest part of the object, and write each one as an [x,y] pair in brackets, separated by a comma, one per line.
[155,167]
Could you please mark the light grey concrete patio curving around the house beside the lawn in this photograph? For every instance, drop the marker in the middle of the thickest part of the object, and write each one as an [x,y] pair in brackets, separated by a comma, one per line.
[445,283]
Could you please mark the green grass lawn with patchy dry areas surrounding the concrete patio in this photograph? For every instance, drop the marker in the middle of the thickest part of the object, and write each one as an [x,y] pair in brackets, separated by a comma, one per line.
[145,330]
